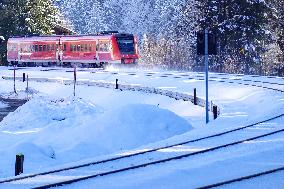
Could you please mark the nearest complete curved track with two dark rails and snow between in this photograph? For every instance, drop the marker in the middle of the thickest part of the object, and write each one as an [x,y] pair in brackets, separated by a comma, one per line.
[149,157]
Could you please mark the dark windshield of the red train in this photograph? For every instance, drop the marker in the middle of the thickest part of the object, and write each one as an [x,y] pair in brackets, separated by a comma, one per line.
[126,44]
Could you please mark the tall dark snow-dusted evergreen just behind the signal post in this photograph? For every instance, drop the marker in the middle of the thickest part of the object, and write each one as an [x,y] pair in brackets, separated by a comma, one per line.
[241,28]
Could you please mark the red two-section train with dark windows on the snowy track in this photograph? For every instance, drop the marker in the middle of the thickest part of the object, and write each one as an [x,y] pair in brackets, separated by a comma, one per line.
[88,50]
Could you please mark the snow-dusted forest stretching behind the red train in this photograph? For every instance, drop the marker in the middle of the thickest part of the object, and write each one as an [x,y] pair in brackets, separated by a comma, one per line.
[249,33]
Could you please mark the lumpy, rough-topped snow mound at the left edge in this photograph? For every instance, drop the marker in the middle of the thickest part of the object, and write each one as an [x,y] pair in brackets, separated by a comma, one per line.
[41,112]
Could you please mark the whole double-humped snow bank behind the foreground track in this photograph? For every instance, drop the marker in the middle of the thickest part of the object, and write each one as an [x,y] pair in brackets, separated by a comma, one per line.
[55,131]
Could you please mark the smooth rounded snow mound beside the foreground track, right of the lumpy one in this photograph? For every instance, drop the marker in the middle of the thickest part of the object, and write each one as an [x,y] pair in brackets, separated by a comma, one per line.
[138,124]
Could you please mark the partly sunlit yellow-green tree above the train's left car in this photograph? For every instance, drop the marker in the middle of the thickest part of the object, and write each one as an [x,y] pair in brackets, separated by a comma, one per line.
[22,17]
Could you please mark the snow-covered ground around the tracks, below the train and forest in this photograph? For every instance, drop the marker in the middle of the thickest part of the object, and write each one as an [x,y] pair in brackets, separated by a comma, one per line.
[54,128]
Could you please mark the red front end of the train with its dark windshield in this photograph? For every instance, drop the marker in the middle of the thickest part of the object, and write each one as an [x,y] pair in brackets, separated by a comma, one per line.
[125,48]
